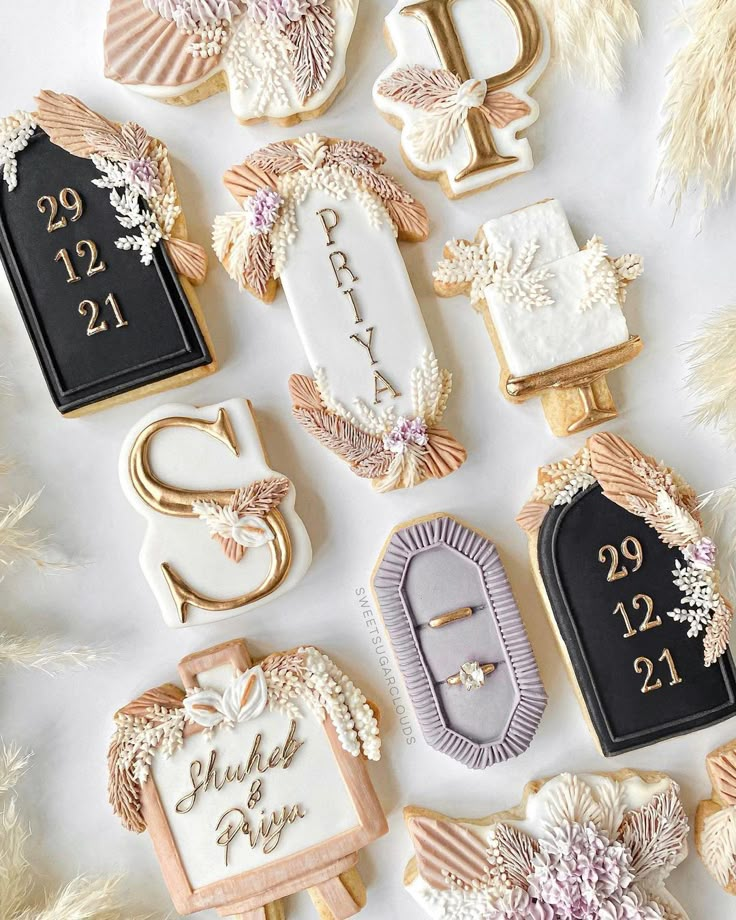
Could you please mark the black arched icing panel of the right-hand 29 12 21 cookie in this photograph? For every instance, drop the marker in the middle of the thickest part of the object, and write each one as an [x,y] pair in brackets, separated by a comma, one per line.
[583,602]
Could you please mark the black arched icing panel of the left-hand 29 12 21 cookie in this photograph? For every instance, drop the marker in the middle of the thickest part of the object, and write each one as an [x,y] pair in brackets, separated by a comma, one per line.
[162,337]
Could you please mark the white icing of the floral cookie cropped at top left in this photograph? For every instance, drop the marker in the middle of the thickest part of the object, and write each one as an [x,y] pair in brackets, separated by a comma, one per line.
[244,96]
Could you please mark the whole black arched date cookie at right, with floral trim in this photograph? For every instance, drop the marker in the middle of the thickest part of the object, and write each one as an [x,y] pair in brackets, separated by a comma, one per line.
[631,583]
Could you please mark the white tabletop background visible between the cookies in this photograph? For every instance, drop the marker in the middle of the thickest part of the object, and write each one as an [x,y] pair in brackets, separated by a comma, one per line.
[599,156]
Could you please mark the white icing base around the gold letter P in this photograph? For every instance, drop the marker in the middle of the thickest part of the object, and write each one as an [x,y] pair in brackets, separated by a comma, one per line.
[491,45]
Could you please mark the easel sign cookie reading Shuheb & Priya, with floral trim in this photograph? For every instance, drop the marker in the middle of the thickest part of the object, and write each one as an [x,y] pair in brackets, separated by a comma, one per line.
[252,781]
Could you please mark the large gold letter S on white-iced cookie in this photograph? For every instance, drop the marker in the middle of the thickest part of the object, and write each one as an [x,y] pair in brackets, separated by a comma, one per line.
[169,500]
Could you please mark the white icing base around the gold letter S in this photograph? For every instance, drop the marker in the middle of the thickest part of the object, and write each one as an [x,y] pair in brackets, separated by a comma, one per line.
[189,459]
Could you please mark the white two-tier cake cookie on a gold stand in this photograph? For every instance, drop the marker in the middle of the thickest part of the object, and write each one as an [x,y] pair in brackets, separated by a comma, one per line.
[554,312]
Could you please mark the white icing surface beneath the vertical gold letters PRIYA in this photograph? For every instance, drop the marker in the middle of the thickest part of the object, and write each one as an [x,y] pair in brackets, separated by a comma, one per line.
[382,292]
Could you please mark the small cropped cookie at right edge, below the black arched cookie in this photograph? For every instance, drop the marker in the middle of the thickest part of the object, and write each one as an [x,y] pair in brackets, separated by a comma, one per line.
[715,821]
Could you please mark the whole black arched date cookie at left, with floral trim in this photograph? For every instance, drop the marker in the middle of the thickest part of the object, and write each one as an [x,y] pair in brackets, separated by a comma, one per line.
[93,240]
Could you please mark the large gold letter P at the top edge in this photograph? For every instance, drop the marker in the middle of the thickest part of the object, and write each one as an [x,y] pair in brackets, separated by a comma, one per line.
[436,16]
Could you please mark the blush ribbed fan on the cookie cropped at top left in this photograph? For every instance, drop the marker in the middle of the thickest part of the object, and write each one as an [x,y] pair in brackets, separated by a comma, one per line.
[143,48]
